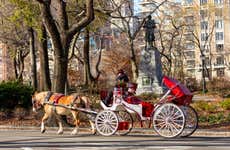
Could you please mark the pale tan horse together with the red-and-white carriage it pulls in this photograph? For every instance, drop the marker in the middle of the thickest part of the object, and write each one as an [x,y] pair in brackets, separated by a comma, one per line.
[171,116]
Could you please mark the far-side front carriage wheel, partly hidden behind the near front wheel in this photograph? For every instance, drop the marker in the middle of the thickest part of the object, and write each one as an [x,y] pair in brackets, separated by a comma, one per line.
[125,124]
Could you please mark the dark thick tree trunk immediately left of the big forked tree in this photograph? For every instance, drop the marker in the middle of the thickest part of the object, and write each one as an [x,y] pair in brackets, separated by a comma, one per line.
[45,82]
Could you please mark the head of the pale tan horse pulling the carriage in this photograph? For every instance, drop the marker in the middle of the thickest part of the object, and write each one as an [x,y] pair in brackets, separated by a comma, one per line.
[38,100]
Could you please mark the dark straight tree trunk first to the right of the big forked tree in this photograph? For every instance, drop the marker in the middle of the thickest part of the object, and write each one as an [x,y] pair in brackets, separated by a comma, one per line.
[88,78]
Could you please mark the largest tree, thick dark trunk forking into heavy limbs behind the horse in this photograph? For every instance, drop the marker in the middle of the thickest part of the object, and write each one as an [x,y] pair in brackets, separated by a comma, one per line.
[56,20]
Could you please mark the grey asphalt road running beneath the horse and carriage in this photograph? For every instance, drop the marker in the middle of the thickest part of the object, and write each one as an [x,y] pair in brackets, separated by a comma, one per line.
[34,140]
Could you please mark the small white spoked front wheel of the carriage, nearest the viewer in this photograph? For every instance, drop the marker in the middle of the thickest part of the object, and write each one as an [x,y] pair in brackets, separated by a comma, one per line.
[106,122]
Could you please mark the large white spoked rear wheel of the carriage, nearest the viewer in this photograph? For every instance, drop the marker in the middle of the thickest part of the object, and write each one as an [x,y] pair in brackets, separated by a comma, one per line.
[168,120]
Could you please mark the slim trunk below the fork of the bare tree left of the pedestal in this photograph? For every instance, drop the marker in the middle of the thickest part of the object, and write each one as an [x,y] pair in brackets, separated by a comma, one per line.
[133,62]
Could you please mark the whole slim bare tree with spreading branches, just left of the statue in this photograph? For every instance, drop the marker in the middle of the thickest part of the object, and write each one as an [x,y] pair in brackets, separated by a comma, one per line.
[125,23]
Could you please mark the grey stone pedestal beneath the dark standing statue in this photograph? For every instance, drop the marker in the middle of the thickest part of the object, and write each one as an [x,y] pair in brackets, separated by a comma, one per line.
[150,72]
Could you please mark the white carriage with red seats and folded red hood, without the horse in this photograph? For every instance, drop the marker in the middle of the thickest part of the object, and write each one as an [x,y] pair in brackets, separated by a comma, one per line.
[170,116]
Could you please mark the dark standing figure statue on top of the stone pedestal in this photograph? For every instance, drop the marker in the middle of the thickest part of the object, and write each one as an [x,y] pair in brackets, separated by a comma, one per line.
[149,26]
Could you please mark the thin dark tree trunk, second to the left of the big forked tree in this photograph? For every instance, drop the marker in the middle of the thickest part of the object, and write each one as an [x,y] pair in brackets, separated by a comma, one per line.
[33,59]
